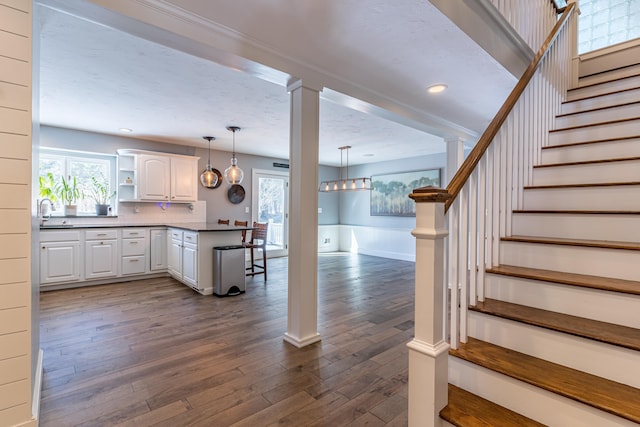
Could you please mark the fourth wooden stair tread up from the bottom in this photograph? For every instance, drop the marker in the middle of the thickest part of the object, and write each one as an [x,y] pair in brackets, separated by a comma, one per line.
[573,279]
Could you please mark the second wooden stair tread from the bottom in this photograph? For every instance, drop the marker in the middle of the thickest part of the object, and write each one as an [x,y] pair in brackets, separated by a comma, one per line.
[615,398]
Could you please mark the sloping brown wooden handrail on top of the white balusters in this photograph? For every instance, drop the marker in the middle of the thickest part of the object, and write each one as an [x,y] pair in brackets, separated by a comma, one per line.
[463,174]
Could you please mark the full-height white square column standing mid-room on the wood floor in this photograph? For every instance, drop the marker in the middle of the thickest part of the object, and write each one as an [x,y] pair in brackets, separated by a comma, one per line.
[302,324]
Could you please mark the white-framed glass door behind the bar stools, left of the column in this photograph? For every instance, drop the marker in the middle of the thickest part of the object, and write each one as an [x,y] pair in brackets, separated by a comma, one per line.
[270,193]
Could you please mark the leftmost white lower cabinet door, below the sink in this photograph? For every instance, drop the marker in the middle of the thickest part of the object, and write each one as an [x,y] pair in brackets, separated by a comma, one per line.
[59,262]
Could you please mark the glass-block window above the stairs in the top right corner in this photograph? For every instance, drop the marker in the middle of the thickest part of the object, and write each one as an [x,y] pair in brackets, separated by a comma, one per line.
[604,23]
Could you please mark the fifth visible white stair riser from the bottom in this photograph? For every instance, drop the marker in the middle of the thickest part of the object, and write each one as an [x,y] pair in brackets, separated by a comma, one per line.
[619,228]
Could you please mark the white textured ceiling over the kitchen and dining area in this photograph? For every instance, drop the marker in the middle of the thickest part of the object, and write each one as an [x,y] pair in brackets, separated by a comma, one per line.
[97,78]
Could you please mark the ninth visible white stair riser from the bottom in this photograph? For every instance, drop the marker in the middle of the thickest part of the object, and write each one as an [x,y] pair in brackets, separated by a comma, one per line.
[596,133]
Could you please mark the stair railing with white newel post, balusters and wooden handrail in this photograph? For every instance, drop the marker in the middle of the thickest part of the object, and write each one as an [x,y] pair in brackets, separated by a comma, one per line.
[474,211]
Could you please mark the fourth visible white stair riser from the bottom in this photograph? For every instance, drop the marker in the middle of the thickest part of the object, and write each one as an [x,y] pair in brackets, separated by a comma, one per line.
[621,264]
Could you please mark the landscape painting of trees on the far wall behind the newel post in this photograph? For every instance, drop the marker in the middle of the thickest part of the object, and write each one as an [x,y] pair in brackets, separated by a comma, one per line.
[390,194]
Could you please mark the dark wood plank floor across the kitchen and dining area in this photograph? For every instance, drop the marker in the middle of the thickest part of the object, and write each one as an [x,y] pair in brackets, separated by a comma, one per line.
[153,352]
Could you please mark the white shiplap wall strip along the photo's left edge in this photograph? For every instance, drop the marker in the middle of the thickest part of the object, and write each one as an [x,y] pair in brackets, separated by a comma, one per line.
[15,212]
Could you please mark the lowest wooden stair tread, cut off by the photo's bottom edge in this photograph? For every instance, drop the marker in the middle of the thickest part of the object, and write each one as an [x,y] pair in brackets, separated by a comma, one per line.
[466,409]
